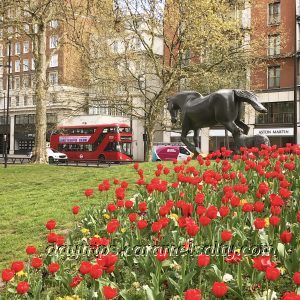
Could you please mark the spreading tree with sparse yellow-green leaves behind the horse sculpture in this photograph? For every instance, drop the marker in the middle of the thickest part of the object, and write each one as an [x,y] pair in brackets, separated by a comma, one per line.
[137,52]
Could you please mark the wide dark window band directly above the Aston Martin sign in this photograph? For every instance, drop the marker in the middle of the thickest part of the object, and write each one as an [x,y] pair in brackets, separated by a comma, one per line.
[278,113]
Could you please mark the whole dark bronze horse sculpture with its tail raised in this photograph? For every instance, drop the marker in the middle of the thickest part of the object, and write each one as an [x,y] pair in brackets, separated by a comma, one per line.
[222,106]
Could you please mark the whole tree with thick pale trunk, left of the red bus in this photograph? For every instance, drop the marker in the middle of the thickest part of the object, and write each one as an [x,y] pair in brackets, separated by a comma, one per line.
[34,19]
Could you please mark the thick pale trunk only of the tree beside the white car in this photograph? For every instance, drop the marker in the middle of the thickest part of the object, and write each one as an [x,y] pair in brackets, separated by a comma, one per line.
[40,93]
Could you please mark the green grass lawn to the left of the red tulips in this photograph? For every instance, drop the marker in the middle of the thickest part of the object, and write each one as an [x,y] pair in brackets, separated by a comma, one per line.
[32,194]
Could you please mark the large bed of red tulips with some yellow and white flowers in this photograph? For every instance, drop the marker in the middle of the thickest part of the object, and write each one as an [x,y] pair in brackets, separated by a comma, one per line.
[206,229]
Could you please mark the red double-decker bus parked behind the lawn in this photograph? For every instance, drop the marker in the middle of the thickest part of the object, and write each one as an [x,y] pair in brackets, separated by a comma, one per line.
[102,142]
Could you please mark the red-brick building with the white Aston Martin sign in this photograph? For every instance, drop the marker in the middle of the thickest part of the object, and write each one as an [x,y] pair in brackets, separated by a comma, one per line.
[274,80]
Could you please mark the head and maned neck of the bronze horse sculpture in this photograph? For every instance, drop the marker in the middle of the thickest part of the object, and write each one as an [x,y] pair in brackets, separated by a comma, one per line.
[177,101]
